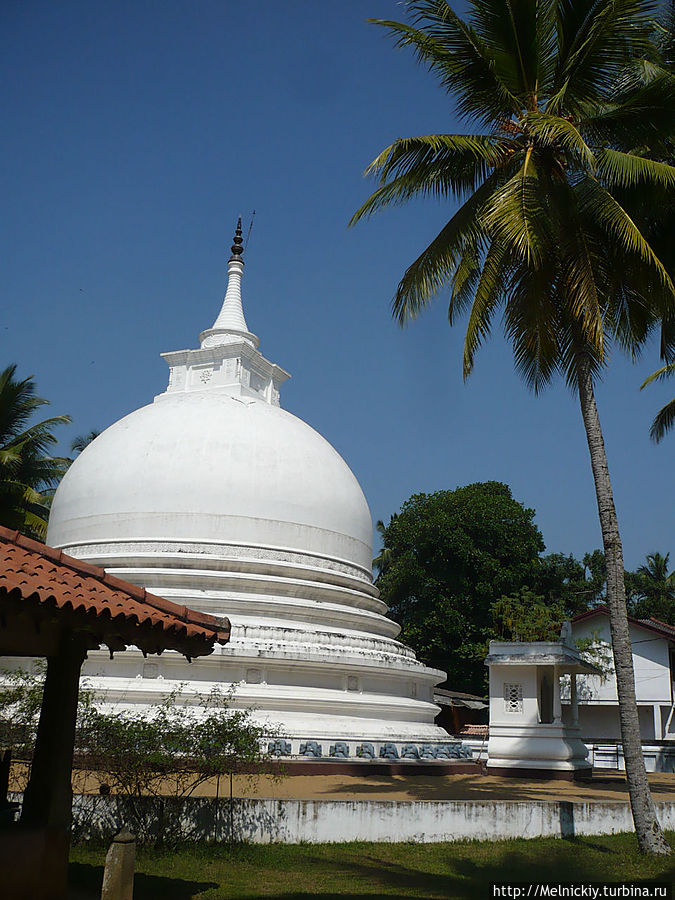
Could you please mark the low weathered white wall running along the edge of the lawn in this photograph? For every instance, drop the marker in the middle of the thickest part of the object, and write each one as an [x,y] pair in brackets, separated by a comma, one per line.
[322,821]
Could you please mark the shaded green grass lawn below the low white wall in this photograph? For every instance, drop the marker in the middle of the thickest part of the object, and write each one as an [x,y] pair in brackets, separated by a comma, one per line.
[363,870]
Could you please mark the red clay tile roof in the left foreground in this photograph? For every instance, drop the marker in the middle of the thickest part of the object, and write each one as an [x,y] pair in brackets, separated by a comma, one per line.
[119,611]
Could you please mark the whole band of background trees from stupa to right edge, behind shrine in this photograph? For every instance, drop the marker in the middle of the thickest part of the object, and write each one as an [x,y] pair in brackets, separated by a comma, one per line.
[459,568]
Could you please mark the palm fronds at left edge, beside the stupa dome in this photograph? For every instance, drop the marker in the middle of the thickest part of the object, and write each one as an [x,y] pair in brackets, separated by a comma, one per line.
[28,474]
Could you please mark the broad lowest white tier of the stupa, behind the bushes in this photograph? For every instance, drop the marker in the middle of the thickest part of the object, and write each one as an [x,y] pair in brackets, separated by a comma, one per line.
[296,699]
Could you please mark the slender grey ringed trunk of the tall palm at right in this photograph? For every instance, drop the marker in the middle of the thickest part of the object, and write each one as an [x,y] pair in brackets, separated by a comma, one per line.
[649,834]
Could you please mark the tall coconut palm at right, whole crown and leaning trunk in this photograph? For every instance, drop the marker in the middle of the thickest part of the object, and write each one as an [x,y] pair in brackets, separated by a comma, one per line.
[563,100]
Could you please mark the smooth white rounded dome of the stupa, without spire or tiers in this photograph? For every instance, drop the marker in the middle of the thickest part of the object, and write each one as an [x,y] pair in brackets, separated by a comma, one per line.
[209,466]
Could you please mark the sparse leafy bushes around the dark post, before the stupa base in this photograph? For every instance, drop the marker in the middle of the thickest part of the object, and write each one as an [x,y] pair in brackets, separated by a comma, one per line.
[145,763]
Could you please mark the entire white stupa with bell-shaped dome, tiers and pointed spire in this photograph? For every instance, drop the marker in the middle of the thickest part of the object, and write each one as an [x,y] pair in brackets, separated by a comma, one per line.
[215,497]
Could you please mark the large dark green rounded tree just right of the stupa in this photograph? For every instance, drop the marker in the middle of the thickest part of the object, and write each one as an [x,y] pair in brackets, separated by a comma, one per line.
[450,554]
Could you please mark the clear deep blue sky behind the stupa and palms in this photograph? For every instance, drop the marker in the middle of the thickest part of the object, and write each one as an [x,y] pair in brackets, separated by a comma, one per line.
[136,132]
